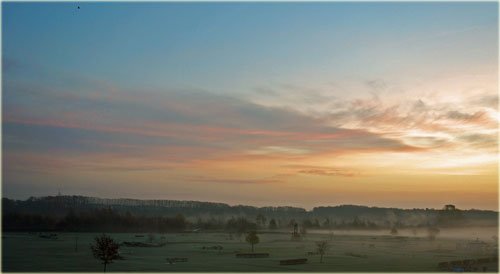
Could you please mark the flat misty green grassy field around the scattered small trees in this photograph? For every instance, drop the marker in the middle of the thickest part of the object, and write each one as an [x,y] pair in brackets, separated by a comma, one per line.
[348,252]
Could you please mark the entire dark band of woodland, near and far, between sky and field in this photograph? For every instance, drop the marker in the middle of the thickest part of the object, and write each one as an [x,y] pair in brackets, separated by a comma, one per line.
[74,213]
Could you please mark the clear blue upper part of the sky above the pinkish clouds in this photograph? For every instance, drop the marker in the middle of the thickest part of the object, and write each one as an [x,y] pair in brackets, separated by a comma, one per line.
[234,47]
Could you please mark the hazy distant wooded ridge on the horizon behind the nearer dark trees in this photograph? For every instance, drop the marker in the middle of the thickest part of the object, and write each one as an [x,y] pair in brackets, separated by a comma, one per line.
[214,216]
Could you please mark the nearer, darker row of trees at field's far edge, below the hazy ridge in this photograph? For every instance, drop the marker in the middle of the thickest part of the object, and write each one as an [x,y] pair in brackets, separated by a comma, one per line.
[107,219]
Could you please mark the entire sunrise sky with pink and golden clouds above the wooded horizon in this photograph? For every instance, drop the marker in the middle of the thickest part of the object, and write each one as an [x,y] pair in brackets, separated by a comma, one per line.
[301,104]
